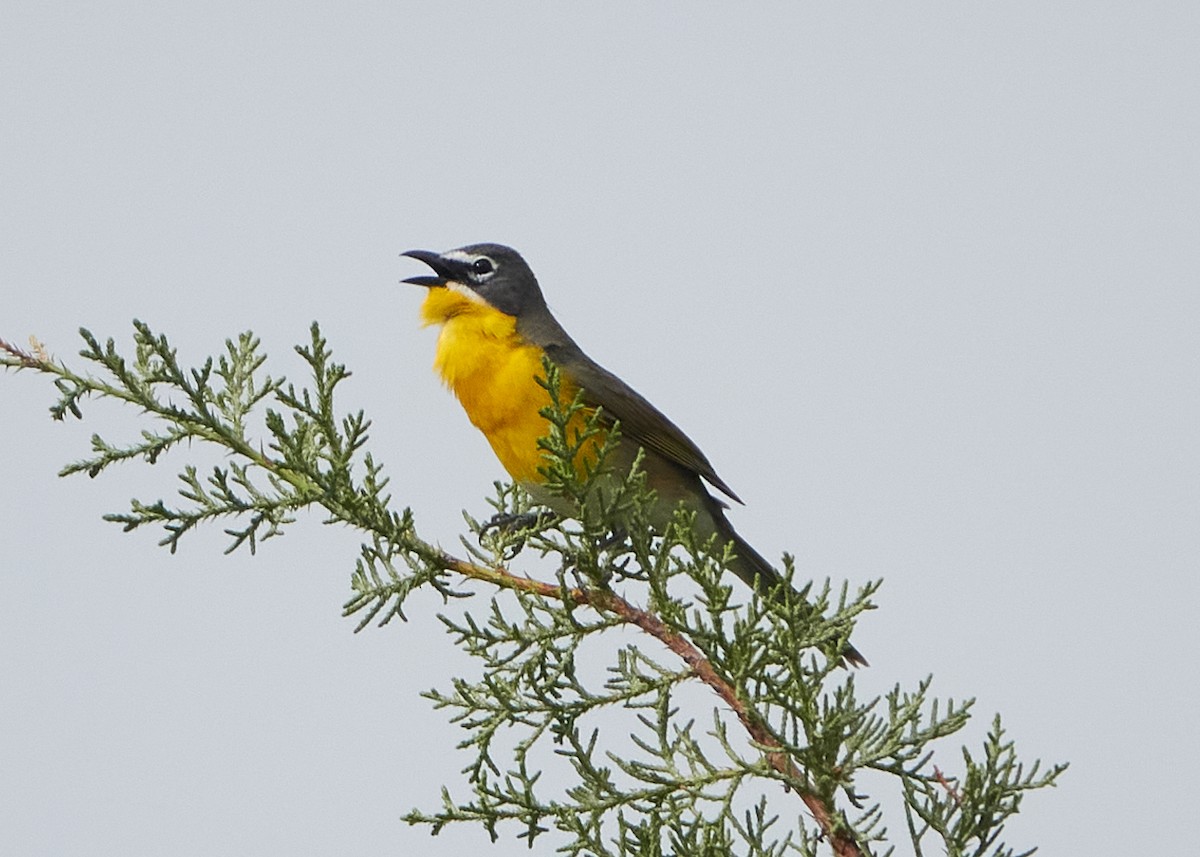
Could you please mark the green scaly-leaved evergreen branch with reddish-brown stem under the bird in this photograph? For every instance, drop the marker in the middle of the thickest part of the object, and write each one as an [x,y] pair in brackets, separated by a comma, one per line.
[631,702]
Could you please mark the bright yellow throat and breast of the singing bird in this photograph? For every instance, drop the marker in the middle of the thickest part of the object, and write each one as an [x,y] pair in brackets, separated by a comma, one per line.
[494,371]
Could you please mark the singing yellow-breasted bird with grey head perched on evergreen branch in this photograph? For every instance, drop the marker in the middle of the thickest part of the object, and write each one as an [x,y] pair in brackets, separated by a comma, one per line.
[496,329]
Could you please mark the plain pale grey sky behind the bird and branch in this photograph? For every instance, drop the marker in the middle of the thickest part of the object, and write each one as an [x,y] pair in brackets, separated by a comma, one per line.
[922,280]
